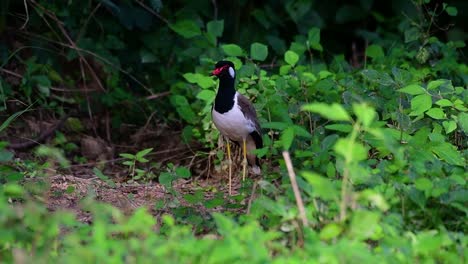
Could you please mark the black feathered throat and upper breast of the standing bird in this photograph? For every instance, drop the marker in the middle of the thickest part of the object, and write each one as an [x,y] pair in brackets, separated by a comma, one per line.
[225,97]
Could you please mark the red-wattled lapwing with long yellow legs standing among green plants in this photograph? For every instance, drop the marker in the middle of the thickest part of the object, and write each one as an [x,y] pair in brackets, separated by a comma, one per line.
[235,117]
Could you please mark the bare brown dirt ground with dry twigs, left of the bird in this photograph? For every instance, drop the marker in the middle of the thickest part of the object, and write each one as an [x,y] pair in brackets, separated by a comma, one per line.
[70,186]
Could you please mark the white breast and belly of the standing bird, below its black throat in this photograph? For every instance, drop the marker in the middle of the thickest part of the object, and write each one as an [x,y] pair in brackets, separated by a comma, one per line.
[233,124]
